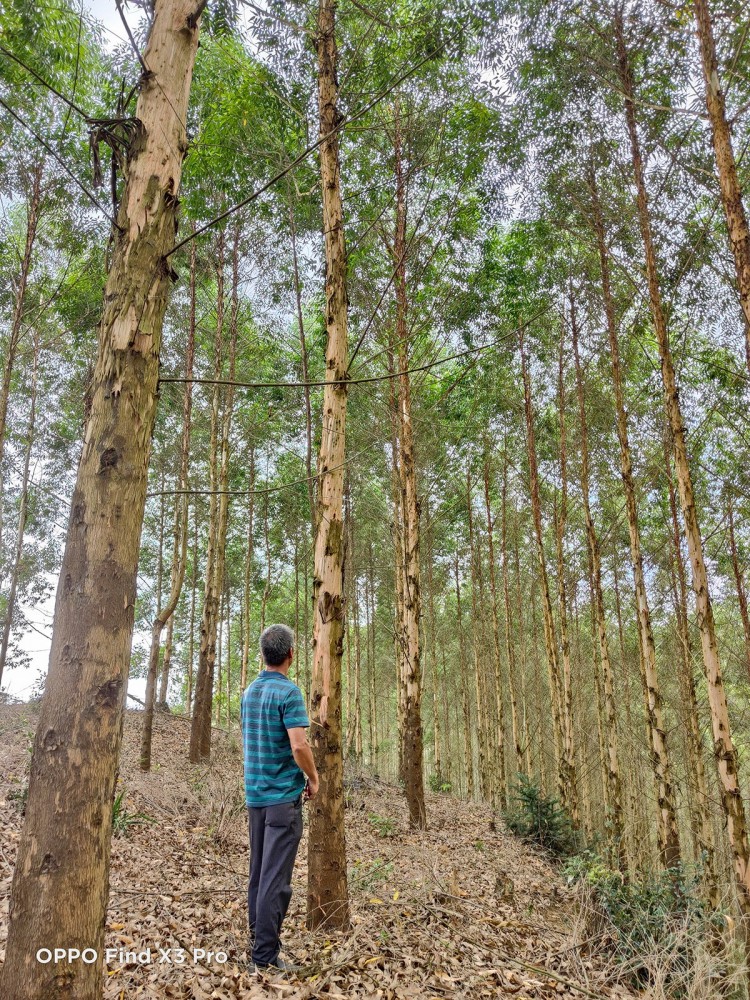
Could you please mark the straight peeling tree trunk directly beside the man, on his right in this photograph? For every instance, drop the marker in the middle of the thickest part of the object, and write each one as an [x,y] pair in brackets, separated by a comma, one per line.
[327,893]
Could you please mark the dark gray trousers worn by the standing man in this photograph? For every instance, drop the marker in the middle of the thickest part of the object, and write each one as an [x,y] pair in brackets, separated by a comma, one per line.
[275,833]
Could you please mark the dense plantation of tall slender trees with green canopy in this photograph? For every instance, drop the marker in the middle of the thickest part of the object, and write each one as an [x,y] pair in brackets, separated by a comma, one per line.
[424,329]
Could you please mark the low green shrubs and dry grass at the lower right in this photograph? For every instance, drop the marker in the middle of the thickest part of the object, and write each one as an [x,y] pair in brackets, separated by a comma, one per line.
[656,929]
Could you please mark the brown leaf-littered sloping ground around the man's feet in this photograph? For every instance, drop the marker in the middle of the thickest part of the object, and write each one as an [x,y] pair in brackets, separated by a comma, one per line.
[463,910]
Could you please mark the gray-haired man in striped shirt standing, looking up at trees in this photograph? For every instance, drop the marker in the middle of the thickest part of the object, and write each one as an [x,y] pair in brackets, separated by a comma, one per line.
[277,759]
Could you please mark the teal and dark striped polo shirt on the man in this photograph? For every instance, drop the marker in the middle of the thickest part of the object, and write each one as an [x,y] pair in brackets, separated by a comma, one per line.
[270,705]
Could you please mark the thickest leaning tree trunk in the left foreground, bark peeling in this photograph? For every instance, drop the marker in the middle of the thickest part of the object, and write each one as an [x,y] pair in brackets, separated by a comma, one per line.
[61,880]
